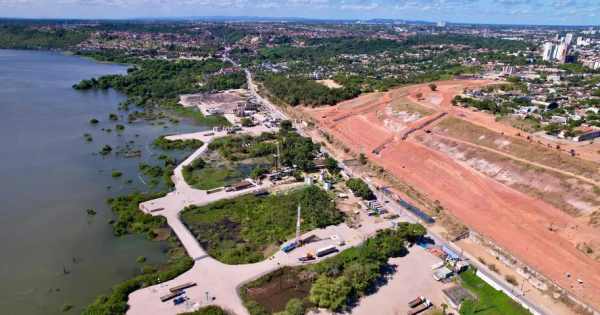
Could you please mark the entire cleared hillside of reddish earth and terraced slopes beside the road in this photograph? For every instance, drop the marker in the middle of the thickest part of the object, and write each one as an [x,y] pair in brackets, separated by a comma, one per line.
[529,196]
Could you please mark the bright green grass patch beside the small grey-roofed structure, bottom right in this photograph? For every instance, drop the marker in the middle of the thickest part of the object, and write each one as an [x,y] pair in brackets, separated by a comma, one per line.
[491,301]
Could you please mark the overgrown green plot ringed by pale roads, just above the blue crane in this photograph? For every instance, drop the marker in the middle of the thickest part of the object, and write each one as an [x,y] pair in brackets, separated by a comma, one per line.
[237,231]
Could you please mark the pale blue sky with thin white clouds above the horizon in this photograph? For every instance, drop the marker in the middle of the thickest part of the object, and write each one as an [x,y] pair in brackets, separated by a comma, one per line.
[540,12]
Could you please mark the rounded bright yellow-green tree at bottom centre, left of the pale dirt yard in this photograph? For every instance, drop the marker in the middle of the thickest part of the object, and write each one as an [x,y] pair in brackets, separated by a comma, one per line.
[330,293]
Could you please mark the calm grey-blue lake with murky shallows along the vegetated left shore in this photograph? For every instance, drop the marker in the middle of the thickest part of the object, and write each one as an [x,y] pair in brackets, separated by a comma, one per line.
[50,176]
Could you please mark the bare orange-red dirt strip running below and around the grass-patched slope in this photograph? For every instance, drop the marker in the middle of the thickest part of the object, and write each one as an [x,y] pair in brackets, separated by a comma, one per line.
[510,218]
